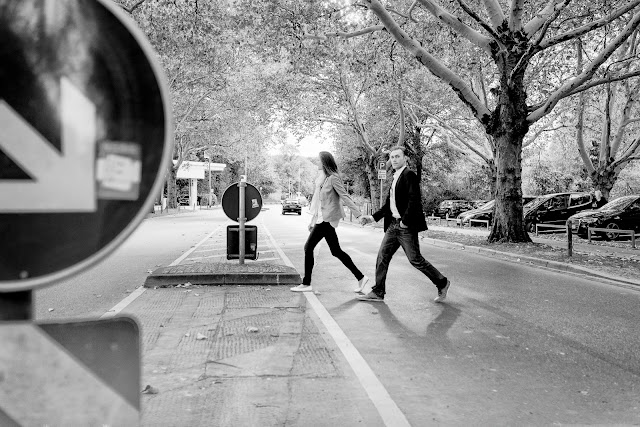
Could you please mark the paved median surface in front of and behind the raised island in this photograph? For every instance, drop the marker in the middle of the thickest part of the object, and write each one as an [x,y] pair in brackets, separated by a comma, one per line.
[245,355]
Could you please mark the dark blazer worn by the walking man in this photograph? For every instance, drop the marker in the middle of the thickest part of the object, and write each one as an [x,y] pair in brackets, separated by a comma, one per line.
[408,201]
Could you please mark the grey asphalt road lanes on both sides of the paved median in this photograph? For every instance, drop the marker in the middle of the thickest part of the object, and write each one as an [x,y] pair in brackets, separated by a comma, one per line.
[513,344]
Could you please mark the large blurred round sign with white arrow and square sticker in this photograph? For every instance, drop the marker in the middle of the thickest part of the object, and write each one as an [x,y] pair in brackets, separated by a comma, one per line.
[85,136]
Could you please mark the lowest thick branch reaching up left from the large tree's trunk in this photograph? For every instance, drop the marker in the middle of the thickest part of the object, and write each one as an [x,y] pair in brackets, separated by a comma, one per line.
[464,92]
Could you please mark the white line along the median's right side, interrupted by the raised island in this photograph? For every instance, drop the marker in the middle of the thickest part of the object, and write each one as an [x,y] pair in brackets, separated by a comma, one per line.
[390,413]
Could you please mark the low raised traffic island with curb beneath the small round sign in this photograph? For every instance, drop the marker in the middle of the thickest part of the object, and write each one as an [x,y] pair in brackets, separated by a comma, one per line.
[223,274]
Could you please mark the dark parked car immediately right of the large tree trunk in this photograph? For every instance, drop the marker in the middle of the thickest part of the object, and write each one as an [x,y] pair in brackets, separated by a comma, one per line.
[554,208]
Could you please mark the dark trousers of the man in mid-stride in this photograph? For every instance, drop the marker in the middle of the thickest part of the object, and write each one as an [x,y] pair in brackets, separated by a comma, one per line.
[394,237]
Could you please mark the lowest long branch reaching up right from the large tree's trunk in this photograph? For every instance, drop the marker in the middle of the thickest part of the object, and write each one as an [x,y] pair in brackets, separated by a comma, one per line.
[573,83]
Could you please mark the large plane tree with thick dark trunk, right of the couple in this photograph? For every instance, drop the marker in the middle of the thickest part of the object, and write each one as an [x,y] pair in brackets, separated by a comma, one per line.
[525,49]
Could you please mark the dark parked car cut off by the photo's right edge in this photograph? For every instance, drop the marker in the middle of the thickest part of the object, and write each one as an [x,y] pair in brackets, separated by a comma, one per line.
[622,213]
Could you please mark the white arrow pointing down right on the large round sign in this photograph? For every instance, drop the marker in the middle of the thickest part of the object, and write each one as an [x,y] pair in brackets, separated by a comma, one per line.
[62,181]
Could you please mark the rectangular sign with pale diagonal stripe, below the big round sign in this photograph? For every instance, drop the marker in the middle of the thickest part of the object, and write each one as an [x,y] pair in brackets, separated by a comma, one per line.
[70,374]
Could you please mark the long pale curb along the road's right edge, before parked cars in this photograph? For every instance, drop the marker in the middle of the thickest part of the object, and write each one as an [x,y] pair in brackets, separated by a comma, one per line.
[553,265]
